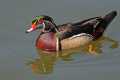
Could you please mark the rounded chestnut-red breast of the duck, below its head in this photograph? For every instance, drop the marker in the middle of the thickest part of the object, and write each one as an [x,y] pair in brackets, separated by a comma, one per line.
[46,41]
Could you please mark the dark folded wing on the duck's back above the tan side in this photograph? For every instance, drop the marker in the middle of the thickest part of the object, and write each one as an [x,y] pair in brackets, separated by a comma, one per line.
[71,29]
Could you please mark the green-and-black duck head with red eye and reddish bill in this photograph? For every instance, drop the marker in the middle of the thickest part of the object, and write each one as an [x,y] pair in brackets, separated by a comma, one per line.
[39,23]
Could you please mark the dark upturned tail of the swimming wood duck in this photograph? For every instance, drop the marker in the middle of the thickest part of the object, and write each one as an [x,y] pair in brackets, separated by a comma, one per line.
[103,23]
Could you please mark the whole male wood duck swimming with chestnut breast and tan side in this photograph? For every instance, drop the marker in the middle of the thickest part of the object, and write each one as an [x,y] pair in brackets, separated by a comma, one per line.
[70,35]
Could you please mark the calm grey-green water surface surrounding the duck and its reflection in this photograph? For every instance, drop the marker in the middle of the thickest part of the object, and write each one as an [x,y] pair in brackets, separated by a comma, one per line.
[17,48]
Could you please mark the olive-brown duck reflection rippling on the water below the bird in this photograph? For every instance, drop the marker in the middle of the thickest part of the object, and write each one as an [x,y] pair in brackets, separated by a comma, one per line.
[45,62]
